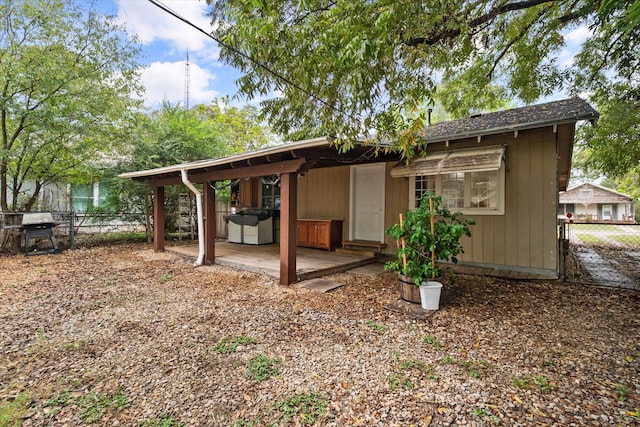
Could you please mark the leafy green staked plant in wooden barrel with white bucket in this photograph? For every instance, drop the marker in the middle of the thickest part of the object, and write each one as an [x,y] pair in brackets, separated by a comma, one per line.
[425,236]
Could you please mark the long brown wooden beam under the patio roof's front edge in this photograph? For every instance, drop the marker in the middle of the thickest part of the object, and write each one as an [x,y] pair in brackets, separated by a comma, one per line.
[288,166]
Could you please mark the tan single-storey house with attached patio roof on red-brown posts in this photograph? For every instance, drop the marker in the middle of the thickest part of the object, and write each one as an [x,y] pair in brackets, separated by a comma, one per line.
[503,169]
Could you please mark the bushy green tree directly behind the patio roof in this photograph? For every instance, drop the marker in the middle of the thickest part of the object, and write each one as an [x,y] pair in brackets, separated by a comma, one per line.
[172,135]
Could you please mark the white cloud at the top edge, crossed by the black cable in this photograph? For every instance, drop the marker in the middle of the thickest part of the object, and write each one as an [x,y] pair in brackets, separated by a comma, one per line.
[152,24]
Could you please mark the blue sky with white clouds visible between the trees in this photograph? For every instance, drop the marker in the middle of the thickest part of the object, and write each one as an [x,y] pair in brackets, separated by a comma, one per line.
[166,40]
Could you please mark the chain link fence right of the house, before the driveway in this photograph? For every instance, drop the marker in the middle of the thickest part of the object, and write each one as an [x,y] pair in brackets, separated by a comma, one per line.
[603,254]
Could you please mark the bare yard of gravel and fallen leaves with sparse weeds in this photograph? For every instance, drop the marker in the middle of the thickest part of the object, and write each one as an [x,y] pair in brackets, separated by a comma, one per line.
[118,335]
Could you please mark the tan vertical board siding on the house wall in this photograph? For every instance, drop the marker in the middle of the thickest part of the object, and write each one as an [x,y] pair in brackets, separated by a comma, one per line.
[524,237]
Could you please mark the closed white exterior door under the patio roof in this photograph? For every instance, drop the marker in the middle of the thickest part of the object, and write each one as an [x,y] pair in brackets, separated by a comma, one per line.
[367,202]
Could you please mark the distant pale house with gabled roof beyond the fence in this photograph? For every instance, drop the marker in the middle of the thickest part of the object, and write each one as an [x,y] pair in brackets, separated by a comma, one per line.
[593,203]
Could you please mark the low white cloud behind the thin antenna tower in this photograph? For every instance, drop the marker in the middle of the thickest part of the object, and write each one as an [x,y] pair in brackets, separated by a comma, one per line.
[166,80]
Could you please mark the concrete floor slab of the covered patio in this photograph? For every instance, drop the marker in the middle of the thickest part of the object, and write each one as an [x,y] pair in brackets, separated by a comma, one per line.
[265,259]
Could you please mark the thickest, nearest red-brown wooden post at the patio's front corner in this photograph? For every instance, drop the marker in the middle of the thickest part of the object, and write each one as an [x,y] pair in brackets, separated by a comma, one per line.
[288,218]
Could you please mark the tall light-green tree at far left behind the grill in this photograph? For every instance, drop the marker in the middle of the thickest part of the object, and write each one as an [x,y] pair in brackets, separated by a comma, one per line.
[67,76]
